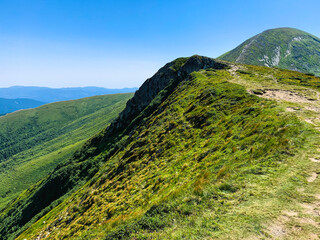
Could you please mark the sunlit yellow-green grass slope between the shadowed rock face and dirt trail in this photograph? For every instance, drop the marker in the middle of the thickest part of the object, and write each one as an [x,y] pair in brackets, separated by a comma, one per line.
[206,163]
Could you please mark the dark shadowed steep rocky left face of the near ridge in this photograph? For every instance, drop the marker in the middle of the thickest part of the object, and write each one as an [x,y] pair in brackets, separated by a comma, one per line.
[72,174]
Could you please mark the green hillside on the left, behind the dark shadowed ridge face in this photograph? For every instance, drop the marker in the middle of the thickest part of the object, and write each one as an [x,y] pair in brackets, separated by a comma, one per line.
[33,142]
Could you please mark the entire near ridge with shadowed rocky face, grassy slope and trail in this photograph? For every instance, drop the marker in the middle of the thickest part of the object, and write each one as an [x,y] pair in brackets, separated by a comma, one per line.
[204,150]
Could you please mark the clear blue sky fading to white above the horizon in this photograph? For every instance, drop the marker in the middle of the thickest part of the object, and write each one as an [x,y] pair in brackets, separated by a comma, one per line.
[116,44]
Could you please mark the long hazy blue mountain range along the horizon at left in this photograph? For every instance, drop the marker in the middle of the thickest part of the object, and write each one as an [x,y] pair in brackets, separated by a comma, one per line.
[49,95]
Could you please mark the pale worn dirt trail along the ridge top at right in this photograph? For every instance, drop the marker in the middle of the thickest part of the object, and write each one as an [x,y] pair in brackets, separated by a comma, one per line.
[305,103]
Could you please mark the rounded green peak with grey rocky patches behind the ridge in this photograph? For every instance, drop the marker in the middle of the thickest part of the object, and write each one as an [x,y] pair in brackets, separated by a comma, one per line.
[285,48]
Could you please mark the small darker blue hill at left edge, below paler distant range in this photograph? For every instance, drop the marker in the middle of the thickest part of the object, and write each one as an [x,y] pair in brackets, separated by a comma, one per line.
[11,105]
